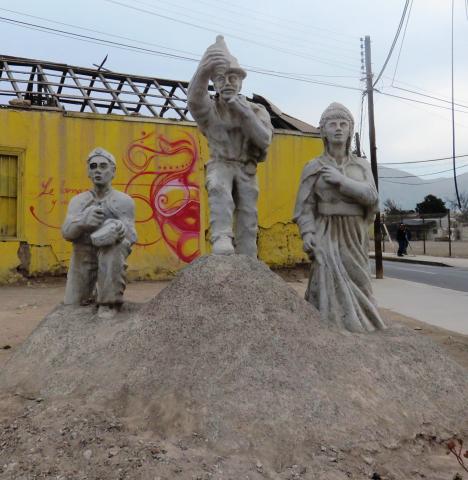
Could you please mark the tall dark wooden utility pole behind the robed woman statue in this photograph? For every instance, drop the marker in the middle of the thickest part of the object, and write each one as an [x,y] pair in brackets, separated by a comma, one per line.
[373,154]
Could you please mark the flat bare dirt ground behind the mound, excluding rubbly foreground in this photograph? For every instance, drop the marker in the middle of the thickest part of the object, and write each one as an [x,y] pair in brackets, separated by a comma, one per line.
[23,306]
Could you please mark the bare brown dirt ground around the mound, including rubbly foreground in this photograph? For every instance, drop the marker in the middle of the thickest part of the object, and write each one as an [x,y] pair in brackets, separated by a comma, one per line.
[94,444]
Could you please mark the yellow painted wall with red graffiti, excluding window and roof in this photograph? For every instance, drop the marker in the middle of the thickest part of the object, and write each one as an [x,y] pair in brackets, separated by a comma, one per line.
[159,163]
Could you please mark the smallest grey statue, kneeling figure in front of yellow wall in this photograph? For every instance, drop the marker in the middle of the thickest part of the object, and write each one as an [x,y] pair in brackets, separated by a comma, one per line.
[101,225]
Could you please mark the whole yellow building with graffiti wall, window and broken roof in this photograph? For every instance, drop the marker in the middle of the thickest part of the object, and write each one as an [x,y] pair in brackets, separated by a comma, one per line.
[56,114]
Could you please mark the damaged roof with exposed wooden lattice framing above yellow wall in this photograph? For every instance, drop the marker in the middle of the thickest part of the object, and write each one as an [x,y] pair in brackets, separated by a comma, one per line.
[36,84]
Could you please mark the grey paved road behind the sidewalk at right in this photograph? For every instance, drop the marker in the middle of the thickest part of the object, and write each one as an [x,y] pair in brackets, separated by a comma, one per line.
[445,277]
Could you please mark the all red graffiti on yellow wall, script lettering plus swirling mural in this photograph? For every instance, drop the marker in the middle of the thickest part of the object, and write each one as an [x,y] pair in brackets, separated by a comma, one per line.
[164,184]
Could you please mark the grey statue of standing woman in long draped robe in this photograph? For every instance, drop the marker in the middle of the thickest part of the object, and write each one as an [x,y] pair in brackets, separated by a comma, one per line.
[335,204]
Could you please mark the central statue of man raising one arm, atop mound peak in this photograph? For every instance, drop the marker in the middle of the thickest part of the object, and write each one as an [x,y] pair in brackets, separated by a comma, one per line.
[238,134]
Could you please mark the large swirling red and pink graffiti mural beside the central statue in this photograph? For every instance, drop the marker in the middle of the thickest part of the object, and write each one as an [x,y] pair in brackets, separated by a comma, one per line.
[166,191]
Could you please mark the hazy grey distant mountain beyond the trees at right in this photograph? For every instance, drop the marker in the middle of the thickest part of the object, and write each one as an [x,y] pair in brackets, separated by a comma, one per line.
[409,191]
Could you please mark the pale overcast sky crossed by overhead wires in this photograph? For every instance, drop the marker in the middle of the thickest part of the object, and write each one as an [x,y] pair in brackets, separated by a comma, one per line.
[317,41]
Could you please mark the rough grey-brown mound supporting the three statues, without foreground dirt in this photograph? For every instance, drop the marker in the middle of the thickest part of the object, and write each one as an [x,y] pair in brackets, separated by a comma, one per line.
[230,353]
